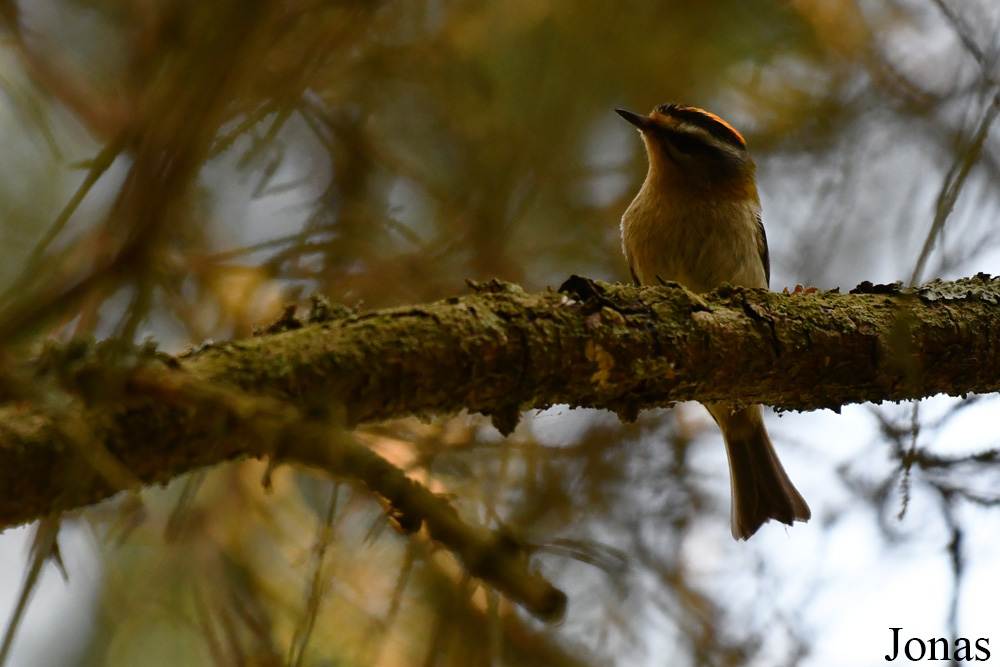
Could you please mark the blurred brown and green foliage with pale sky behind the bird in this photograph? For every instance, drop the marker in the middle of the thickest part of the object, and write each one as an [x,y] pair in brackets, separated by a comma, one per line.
[177,169]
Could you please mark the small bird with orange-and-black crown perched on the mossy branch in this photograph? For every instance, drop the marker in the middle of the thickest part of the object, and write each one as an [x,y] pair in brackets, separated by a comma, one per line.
[696,221]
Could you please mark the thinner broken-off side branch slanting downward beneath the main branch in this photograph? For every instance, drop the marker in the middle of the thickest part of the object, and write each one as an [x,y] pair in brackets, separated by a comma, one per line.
[210,424]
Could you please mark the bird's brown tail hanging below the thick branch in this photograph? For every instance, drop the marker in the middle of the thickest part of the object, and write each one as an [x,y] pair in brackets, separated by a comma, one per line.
[761,490]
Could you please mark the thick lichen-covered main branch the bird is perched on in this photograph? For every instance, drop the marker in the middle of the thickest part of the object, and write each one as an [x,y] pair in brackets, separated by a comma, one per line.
[498,351]
